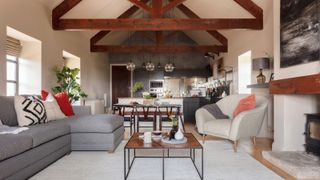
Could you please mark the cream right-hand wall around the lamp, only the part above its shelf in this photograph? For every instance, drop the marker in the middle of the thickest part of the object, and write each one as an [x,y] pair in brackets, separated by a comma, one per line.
[259,42]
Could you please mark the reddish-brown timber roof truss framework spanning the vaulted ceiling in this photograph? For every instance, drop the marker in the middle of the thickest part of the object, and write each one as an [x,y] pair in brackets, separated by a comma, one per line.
[157,24]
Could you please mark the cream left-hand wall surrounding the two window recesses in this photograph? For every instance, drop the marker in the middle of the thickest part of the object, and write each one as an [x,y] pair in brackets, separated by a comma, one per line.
[31,18]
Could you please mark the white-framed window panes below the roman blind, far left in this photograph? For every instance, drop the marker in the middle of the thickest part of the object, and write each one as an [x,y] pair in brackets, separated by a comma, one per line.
[12,75]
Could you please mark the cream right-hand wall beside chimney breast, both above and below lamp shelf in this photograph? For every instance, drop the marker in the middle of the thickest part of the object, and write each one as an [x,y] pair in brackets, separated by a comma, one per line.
[259,42]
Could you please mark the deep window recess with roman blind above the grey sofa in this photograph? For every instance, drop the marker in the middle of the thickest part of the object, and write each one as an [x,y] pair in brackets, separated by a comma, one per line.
[23,63]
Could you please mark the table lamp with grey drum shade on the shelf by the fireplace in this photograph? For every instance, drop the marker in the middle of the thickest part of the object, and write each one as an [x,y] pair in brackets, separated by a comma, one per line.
[260,64]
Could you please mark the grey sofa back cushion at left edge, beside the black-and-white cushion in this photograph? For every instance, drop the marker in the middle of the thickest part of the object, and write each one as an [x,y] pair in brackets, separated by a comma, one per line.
[7,111]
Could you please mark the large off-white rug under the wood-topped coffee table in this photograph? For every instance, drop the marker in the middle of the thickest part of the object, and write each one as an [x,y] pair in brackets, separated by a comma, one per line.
[220,162]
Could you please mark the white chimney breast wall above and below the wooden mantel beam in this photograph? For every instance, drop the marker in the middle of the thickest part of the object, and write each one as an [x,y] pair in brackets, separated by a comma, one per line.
[289,118]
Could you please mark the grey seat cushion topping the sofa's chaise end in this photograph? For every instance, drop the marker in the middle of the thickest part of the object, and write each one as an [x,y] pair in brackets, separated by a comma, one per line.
[101,123]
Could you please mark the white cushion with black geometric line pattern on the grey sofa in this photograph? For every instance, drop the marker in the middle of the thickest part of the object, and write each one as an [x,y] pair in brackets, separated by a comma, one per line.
[30,111]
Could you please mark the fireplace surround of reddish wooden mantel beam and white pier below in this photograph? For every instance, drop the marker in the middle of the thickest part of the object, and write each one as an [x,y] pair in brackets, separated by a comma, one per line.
[294,97]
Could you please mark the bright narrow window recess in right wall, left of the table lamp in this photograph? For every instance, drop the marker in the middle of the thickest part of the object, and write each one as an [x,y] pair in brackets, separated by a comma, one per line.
[244,73]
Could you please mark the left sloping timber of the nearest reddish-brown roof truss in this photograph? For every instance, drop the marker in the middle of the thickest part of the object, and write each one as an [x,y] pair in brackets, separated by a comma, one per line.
[62,9]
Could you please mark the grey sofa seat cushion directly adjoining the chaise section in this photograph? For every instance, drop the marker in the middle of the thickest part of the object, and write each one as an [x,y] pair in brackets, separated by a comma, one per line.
[43,133]
